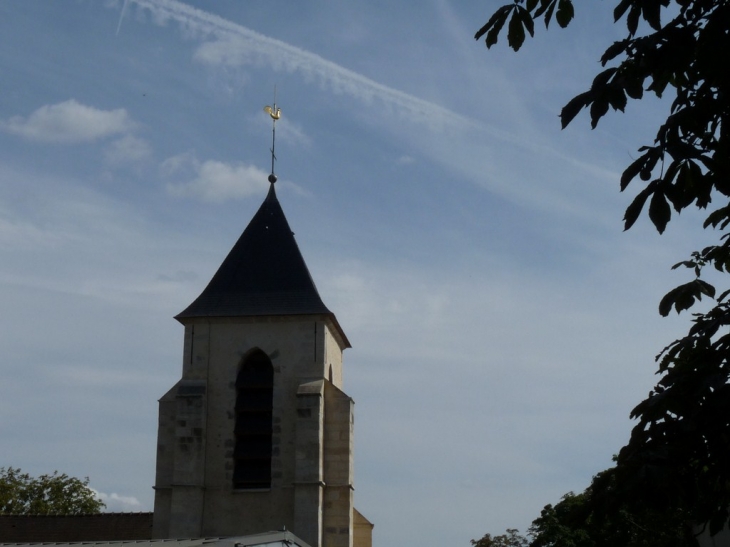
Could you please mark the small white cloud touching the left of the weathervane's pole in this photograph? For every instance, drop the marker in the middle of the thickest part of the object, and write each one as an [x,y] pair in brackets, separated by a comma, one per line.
[212,180]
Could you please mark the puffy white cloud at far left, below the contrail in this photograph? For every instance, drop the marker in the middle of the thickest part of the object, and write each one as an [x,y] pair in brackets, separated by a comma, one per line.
[69,122]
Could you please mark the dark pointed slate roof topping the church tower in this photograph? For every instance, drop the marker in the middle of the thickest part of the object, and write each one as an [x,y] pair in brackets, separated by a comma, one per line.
[264,274]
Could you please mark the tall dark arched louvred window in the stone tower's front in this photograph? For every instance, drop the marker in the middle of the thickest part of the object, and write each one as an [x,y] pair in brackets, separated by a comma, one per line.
[253,430]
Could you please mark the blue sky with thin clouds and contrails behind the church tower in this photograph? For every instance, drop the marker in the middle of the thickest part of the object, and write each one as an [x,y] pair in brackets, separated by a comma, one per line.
[503,325]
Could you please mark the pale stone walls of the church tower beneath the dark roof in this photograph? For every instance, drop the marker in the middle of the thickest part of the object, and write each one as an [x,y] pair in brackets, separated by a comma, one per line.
[196,431]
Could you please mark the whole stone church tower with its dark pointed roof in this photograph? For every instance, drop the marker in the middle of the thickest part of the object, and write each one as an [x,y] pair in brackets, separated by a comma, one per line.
[257,434]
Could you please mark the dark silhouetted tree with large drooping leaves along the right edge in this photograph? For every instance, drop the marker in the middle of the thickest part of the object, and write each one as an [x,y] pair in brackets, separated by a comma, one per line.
[678,457]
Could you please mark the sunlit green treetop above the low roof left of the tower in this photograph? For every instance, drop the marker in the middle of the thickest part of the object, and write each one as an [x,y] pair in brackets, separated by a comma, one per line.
[57,493]
